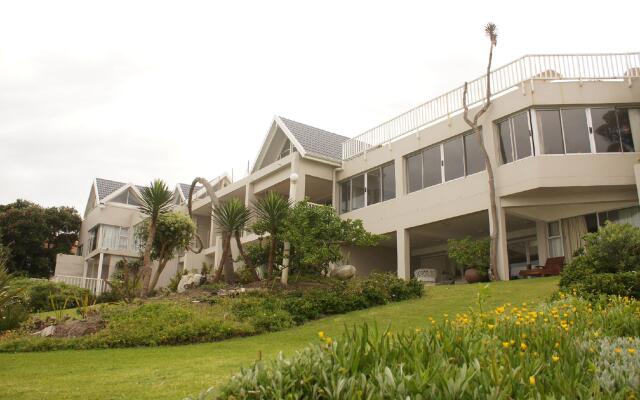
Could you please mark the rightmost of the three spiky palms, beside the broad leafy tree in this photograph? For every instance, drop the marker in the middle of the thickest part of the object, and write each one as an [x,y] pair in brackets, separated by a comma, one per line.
[272,210]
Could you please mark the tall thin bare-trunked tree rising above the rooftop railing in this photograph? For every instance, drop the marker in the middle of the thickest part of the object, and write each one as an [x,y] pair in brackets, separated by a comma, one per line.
[492,33]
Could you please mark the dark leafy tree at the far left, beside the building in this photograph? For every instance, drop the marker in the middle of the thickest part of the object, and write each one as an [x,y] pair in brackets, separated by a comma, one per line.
[36,235]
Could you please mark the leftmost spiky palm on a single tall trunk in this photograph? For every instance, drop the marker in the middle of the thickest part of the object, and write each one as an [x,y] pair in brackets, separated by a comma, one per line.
[154,201]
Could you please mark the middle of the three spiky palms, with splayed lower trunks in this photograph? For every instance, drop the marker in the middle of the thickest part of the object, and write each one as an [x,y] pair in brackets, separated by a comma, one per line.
[232,218]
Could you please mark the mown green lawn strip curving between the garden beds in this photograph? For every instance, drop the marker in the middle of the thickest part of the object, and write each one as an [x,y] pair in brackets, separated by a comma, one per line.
[175,372]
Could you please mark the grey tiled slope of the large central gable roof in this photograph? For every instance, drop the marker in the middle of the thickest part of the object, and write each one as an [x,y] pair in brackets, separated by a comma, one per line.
[316,141]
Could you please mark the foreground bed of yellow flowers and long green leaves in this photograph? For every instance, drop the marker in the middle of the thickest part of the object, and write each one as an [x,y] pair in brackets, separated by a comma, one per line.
[565,349]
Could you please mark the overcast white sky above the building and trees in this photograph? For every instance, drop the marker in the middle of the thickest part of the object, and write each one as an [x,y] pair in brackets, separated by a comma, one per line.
[132,91]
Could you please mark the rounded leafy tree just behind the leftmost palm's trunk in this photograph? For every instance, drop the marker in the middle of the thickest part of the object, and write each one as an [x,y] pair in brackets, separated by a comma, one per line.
[174,232]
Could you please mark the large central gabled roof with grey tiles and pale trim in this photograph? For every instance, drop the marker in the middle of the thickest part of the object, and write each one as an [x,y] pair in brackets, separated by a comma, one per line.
[309,141]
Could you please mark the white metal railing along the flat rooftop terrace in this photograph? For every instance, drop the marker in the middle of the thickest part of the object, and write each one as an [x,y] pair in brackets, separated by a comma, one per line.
[575,67]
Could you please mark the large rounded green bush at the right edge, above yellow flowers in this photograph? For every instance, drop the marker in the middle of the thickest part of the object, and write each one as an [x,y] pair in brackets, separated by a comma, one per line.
[613,250]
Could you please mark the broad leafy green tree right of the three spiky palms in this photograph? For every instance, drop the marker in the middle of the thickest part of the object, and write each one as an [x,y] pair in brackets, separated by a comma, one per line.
[317,233]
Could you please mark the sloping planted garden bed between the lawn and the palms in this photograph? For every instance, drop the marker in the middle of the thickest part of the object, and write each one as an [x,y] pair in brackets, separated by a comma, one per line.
[205,316]
